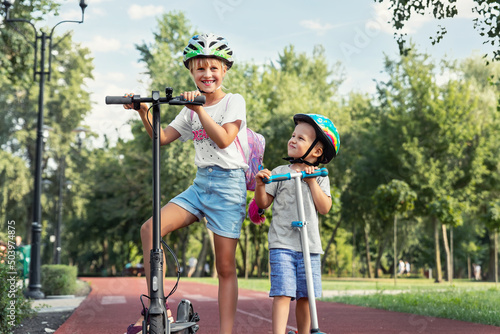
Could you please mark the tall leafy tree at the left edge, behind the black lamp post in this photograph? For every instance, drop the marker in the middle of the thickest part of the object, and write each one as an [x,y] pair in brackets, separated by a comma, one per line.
[66,96]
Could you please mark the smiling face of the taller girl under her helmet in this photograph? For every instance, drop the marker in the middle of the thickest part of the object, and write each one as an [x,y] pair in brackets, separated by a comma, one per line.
[208,73]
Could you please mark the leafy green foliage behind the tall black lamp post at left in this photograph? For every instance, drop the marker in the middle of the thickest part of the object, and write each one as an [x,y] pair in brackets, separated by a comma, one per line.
[66,104]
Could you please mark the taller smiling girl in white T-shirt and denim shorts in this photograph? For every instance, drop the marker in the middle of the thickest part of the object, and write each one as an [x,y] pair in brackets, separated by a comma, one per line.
[219,191]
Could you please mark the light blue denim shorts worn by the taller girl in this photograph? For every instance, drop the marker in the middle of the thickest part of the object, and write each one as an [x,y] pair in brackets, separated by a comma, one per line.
[219,195]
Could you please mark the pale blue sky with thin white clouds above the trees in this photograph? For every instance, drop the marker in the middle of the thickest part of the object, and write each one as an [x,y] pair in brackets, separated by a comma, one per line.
[355,33]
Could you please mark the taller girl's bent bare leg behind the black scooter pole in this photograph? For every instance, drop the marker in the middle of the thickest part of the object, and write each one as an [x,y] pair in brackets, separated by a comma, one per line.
[173,217]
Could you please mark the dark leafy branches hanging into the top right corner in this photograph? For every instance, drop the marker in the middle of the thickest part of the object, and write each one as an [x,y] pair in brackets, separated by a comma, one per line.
[488,25]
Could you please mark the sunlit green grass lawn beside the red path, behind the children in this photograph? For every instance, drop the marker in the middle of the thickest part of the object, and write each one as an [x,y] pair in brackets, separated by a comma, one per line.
[465,300]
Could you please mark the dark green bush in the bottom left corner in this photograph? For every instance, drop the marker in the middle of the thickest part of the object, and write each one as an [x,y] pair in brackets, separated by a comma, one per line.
[14,307]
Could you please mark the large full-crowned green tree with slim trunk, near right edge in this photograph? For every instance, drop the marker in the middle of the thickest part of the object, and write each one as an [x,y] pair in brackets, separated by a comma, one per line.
[439,127]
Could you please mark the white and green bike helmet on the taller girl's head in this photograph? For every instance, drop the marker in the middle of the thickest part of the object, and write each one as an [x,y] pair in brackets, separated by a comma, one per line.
[208,45]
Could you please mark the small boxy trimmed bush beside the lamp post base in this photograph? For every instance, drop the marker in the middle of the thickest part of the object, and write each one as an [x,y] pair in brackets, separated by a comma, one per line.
[58,279]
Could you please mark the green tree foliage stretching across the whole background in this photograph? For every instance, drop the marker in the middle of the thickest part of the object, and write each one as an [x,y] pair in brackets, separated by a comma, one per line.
[431,130]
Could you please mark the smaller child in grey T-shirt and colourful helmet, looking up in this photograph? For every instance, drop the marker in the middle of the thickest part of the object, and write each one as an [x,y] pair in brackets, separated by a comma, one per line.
[315,140]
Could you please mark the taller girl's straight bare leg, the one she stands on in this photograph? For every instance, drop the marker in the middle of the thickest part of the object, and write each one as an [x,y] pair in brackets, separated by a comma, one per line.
[225,261]
